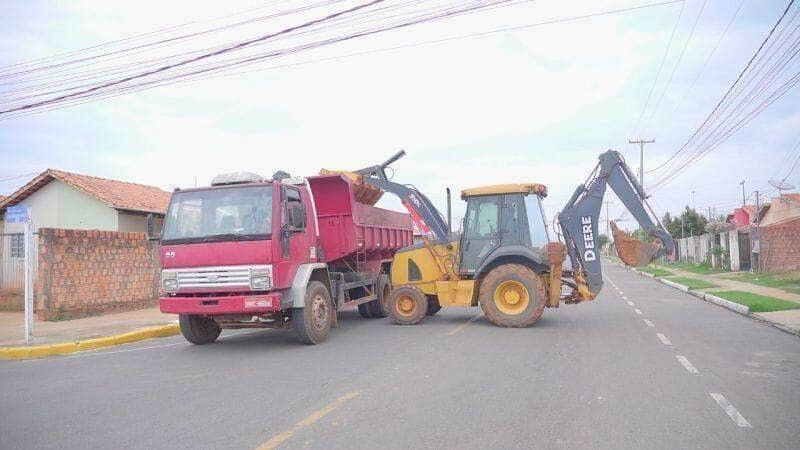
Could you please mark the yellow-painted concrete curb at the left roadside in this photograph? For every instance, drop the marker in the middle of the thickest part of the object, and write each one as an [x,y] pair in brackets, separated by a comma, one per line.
[65,348]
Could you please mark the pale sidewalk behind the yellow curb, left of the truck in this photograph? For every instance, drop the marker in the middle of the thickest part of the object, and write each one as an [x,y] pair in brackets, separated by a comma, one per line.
[12,326]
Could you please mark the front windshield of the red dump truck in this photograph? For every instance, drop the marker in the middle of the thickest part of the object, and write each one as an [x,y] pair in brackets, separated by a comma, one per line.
[238,213]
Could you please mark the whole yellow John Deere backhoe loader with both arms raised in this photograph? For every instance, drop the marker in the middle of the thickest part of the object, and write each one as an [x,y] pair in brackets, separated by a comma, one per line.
[504,259]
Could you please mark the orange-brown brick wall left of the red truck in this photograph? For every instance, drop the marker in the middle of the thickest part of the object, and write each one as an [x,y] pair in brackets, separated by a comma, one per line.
[86,272]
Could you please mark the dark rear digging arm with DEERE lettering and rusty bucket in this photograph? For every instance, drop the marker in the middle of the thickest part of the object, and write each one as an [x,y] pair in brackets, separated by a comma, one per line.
[579,225]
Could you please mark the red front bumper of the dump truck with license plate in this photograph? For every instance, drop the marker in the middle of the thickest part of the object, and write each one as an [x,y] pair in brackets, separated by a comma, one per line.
[238,304]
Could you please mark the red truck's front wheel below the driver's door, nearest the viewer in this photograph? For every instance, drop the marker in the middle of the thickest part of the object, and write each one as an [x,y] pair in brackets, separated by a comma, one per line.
[312,323]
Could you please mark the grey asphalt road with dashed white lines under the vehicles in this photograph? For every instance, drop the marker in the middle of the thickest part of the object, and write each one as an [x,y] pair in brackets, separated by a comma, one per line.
[594,375]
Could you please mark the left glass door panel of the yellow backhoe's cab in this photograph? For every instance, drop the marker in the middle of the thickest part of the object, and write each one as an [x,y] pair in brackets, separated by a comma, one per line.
[481,231]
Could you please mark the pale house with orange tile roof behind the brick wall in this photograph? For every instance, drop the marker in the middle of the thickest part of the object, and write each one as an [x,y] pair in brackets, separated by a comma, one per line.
[58,199]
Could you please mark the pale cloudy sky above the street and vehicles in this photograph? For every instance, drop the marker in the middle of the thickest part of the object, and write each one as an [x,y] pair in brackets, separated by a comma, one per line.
[532,104]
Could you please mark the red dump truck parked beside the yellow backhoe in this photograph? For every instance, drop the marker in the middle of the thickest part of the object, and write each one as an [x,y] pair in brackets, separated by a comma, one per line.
[253,253]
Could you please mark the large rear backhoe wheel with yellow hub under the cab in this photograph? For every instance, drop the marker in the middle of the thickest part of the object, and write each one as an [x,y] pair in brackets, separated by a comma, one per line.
[512,295]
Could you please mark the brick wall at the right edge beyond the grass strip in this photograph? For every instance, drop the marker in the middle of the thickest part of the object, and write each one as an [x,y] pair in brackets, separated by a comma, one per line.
[780,246]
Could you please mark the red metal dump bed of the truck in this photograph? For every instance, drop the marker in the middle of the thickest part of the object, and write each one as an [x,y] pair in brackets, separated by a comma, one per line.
[347,227]
